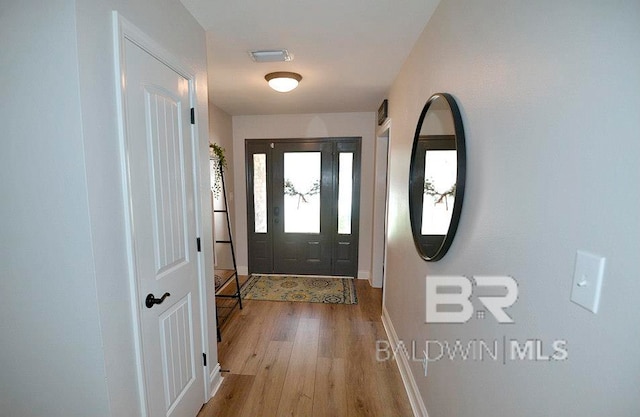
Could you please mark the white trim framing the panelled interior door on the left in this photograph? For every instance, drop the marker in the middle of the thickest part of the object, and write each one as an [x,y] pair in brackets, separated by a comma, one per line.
[124,30]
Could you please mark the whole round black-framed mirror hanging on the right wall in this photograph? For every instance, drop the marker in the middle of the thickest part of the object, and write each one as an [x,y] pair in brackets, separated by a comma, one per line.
[436,176]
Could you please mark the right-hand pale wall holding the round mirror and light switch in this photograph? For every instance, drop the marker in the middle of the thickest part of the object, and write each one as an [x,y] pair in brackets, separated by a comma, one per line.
[549,98]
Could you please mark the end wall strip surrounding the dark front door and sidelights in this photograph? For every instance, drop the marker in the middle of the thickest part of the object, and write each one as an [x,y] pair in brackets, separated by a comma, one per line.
[307,126]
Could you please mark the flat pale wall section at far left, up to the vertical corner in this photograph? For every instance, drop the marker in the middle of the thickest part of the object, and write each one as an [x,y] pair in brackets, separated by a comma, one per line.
[51,354]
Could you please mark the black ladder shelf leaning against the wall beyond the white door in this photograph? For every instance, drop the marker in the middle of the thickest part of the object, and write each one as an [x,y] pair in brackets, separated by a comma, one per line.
[224,277]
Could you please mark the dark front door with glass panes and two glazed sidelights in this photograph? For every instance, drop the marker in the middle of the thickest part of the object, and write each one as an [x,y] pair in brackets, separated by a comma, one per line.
[303,205]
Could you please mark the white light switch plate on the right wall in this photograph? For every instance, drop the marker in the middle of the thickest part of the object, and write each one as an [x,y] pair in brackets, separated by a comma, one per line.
[587,280]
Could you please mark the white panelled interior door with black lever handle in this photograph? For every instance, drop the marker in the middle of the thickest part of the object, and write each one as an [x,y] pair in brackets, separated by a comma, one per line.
[159,142]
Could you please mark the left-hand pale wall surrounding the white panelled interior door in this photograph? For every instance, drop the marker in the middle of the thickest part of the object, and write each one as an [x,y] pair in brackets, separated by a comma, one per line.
[67,346]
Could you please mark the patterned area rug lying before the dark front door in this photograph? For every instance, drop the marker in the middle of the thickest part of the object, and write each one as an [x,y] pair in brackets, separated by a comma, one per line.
[300,288]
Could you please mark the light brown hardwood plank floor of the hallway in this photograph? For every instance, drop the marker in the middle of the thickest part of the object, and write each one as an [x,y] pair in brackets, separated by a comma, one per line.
[302,359]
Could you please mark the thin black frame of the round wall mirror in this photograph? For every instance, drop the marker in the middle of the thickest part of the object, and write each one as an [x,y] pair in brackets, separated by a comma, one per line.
[461,158]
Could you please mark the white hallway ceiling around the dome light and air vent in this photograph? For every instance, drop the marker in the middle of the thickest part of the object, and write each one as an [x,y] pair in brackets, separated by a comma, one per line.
[348,52]
